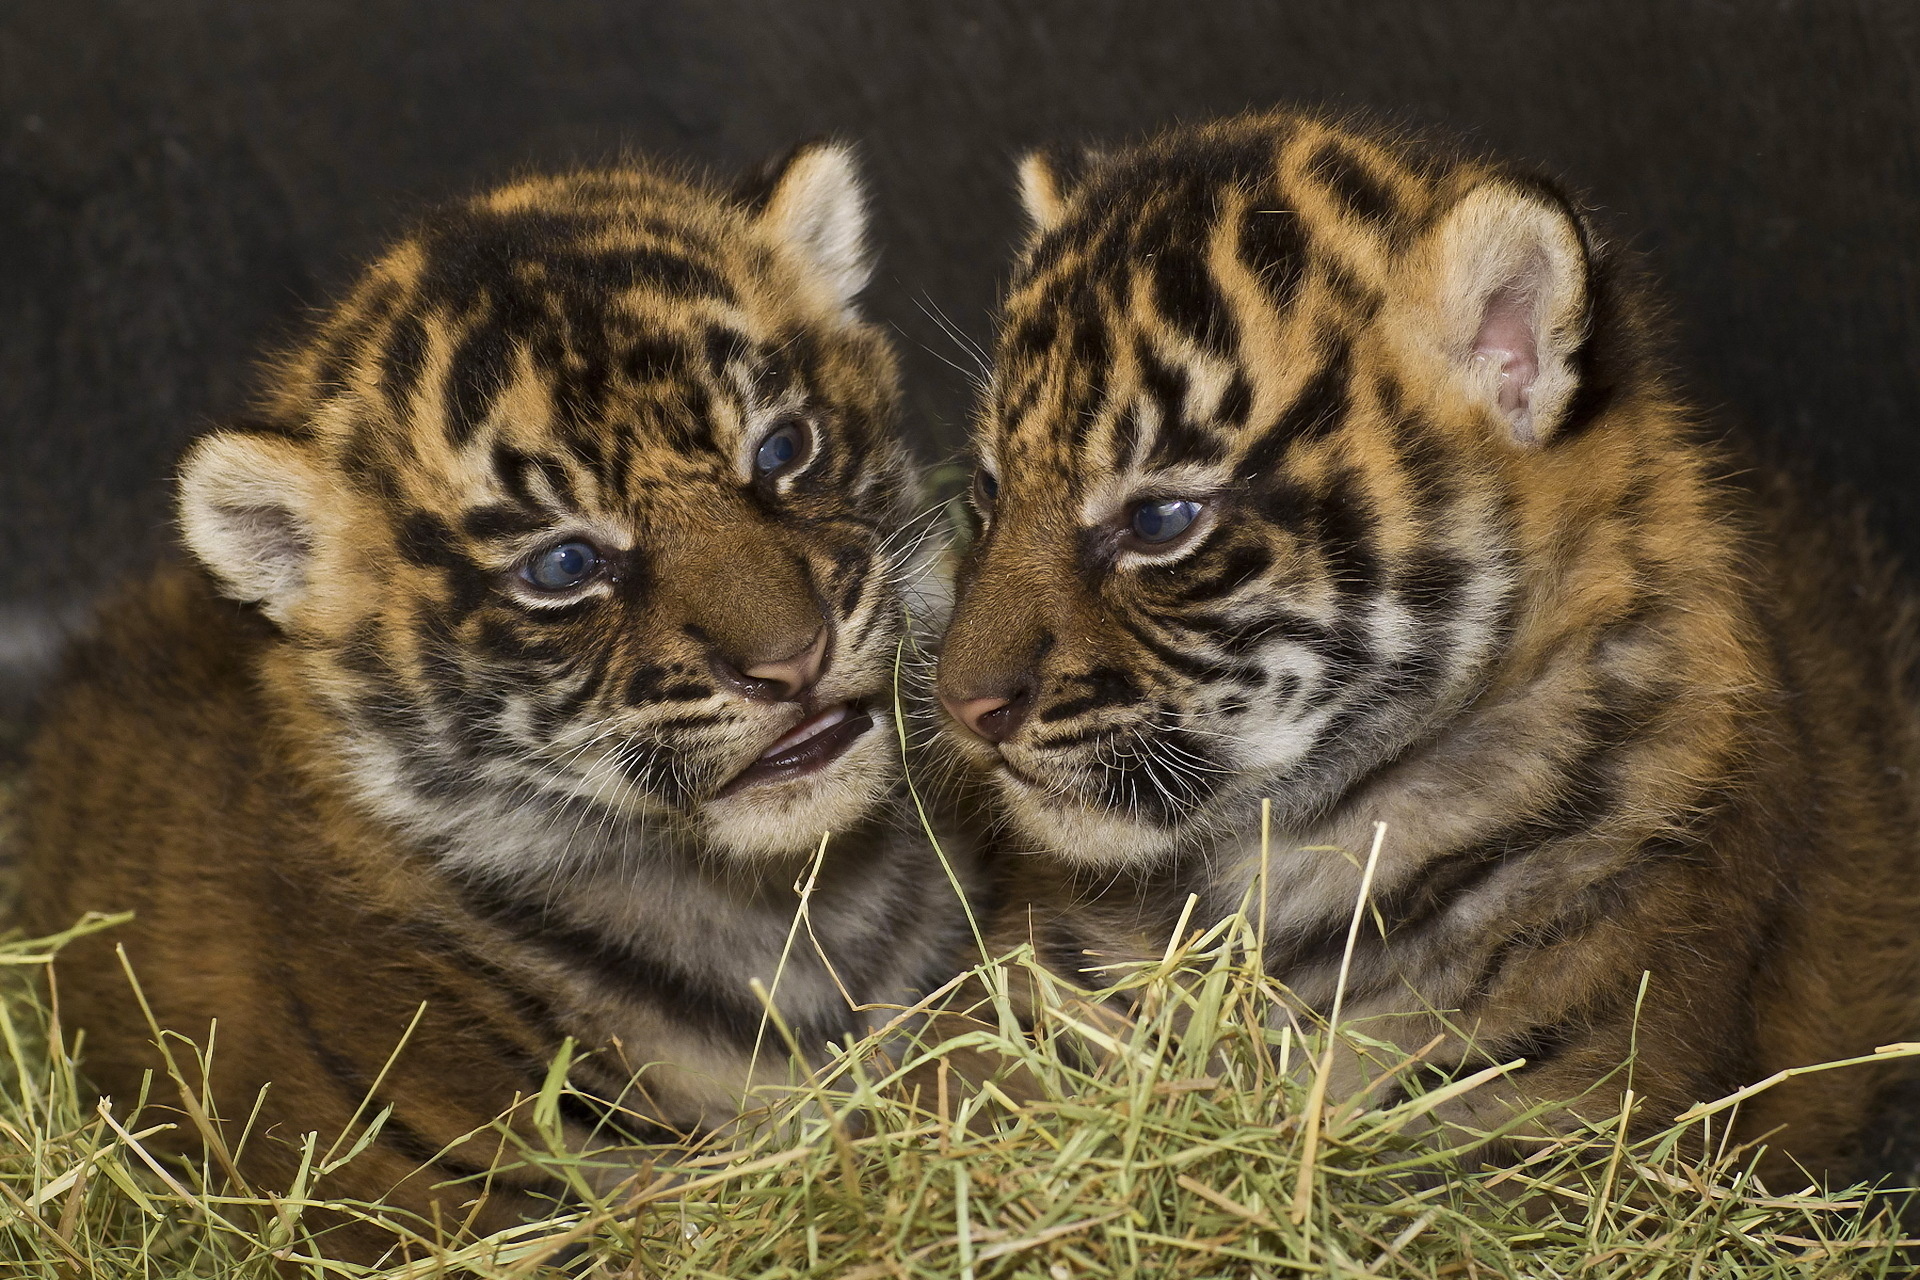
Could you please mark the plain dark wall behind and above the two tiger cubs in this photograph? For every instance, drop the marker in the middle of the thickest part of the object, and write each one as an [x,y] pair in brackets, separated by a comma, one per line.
[183,179]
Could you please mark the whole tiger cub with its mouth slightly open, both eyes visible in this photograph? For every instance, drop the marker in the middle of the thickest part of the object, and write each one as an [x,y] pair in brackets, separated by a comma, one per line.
[542,630]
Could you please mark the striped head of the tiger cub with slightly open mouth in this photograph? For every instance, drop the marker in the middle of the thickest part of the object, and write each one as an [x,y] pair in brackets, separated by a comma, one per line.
[579,511]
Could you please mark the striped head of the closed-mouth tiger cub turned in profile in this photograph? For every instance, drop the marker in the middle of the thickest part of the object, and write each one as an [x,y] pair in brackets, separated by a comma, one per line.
[1289,433]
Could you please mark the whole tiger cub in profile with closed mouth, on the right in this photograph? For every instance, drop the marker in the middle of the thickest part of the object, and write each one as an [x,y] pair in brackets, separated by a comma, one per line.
[1343,471]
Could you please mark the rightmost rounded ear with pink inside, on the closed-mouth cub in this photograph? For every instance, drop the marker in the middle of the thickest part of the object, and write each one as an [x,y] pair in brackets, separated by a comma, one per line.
[1512,304]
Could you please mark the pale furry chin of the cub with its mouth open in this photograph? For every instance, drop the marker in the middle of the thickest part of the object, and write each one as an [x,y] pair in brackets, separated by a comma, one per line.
[788,817]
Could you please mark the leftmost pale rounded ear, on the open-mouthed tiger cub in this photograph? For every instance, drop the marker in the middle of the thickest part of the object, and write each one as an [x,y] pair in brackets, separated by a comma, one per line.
[247,508]
